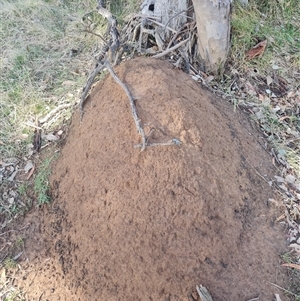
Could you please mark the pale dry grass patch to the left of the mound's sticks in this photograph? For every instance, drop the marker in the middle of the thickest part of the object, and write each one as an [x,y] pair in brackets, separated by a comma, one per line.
[45,55]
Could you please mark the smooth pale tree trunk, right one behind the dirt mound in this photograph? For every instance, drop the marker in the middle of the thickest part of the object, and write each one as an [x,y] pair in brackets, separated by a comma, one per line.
[213,26]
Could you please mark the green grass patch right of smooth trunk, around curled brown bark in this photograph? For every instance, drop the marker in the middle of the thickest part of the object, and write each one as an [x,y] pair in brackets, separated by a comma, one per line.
[275,21]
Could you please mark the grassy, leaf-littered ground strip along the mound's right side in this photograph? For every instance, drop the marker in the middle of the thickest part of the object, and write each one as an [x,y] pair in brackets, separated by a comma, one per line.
[268,87]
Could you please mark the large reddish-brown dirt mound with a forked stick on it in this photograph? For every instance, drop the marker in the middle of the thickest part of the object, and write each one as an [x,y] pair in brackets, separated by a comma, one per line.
[131,225]
